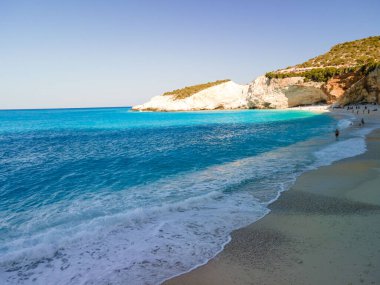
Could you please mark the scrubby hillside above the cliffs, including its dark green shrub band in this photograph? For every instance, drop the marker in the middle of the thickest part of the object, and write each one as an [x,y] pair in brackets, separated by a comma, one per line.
[361,56]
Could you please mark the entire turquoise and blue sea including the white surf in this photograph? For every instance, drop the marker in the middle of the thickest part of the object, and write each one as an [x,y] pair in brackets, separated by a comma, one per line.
[111,196]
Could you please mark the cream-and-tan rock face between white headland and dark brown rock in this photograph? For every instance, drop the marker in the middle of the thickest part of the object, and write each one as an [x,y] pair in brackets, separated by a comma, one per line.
[283,93]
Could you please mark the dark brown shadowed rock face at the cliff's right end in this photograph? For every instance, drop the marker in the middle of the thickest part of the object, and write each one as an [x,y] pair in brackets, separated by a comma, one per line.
[367,89]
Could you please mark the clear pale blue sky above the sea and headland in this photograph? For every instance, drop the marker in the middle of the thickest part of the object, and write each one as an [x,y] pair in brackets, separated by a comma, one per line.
[119,53]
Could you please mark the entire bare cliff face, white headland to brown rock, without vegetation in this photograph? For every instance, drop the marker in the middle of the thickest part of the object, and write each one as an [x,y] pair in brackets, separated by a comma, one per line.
[265,93]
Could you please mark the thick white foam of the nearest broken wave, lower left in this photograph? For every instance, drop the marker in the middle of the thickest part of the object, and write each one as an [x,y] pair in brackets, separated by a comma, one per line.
[143,246]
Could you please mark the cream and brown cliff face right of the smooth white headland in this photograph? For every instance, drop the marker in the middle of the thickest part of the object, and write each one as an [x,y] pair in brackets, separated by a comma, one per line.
[264,93]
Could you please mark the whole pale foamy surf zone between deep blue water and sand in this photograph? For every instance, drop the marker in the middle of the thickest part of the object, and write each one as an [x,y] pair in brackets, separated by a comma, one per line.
[146,234]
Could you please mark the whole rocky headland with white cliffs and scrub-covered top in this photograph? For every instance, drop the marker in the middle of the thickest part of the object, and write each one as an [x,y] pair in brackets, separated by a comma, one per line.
[348,73]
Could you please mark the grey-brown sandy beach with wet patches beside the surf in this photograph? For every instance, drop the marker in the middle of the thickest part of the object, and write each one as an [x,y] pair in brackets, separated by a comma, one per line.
[324,230]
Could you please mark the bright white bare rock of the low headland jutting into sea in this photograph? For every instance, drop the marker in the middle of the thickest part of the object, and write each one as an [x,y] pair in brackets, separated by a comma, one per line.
[228,95]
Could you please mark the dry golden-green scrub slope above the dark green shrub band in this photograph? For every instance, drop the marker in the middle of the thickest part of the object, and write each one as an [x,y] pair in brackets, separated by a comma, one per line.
[353,53]
